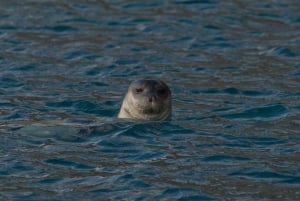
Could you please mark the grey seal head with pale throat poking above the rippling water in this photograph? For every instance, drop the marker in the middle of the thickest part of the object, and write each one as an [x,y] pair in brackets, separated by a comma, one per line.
[147,99]
